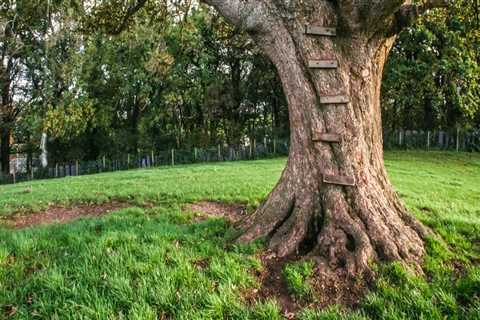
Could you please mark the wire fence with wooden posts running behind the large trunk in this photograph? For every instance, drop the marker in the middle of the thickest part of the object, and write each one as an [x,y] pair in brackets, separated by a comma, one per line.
[24,170]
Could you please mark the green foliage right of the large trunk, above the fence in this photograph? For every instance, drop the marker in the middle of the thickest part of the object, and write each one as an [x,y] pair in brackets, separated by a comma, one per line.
[432,77]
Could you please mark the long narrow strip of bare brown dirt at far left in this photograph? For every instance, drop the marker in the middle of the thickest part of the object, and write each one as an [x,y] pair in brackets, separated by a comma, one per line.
[59,214]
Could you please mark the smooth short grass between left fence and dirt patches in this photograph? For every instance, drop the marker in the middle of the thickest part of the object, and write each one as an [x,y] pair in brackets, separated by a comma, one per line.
[246,182]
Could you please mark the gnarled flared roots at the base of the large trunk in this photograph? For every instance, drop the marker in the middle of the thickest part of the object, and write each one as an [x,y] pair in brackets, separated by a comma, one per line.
[337,230]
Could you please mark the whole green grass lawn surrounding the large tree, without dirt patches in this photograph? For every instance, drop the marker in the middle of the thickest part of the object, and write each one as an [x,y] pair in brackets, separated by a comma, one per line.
[158,262]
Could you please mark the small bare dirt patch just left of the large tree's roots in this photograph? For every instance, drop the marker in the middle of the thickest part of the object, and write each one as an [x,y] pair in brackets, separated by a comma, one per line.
[207,209]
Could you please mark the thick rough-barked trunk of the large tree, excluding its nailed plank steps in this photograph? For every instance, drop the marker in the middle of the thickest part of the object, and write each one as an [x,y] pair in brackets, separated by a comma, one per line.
[342,227]
